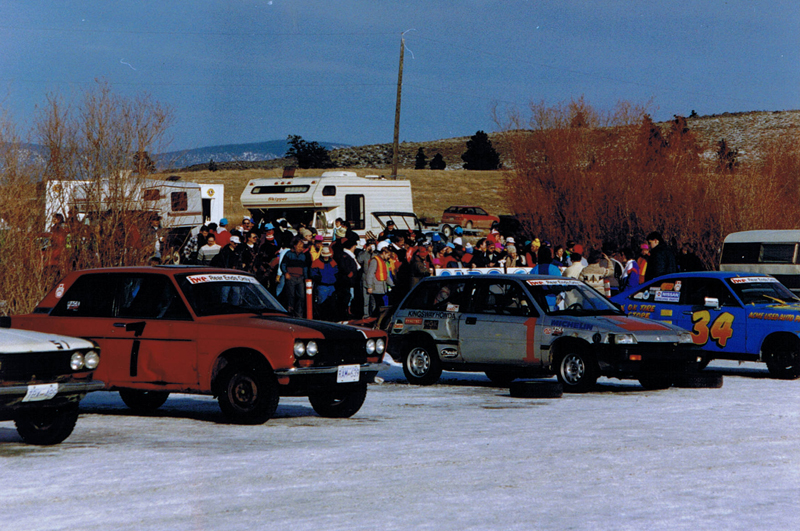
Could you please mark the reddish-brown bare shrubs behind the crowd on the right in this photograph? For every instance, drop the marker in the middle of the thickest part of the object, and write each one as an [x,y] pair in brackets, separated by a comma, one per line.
[578,174]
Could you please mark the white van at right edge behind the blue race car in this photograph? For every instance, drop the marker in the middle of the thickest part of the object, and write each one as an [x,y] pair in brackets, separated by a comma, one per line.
[772,252]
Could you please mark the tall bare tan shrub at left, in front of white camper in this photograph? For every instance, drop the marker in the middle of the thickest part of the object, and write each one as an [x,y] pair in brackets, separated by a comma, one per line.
[93,174]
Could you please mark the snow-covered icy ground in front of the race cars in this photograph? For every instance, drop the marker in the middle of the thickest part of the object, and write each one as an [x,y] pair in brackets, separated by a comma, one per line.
[455,456]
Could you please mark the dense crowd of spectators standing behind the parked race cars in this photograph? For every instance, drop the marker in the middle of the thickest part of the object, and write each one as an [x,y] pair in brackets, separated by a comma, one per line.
[354,277]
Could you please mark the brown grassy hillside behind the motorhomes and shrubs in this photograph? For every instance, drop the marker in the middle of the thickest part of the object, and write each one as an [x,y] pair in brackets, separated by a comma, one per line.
[436,190]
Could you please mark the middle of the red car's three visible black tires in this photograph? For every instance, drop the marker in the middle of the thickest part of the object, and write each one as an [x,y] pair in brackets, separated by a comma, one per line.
[247,395]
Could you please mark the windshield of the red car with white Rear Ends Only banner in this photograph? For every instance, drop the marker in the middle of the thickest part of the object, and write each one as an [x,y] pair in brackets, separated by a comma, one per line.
[227,293]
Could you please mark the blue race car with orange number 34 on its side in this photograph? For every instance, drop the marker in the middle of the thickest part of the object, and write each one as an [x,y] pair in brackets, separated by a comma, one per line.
[734,316]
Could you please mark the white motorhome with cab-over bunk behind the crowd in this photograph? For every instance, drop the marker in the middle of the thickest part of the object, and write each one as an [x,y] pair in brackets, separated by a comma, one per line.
[318,201]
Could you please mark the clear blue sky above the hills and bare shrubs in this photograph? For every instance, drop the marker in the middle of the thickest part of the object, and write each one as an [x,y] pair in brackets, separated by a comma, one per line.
[250,71]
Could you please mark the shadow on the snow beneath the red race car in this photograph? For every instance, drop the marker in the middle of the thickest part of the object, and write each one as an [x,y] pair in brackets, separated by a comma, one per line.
[201,408]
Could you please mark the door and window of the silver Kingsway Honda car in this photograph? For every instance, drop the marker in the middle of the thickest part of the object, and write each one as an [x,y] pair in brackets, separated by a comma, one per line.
[499,327]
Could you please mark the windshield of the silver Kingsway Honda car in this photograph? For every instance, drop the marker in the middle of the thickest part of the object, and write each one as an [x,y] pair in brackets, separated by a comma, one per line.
[569,297]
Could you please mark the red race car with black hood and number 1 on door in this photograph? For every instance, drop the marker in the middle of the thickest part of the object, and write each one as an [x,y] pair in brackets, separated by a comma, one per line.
[198,330]
